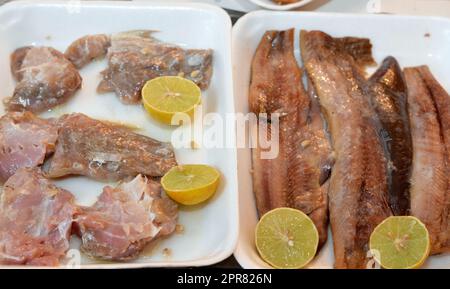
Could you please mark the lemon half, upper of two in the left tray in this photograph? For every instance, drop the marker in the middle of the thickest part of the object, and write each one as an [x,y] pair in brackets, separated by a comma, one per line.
[165,96]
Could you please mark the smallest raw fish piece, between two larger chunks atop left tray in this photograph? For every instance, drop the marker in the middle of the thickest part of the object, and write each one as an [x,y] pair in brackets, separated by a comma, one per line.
[87,48]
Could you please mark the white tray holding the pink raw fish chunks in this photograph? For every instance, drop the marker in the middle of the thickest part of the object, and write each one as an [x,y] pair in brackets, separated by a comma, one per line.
[210,230]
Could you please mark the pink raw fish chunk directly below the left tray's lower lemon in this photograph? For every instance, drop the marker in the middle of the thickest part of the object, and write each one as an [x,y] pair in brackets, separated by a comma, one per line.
[125,219]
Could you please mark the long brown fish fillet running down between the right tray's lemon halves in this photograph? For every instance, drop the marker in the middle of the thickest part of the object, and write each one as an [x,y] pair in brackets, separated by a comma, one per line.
[358,189]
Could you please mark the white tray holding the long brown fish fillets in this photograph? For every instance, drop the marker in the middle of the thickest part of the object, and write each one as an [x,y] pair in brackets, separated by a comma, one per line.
[412,40]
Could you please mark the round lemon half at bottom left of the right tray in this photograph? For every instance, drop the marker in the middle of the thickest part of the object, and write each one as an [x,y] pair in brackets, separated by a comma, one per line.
[286,238]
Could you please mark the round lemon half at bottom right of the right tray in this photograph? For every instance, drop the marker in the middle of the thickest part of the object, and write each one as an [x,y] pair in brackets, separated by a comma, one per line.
[400,242]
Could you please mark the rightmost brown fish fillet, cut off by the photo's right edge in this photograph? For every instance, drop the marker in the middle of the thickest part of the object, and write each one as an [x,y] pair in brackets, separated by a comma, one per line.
[429,111]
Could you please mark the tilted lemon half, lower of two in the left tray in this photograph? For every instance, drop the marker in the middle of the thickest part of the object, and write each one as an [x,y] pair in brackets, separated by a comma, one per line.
[191,184]
